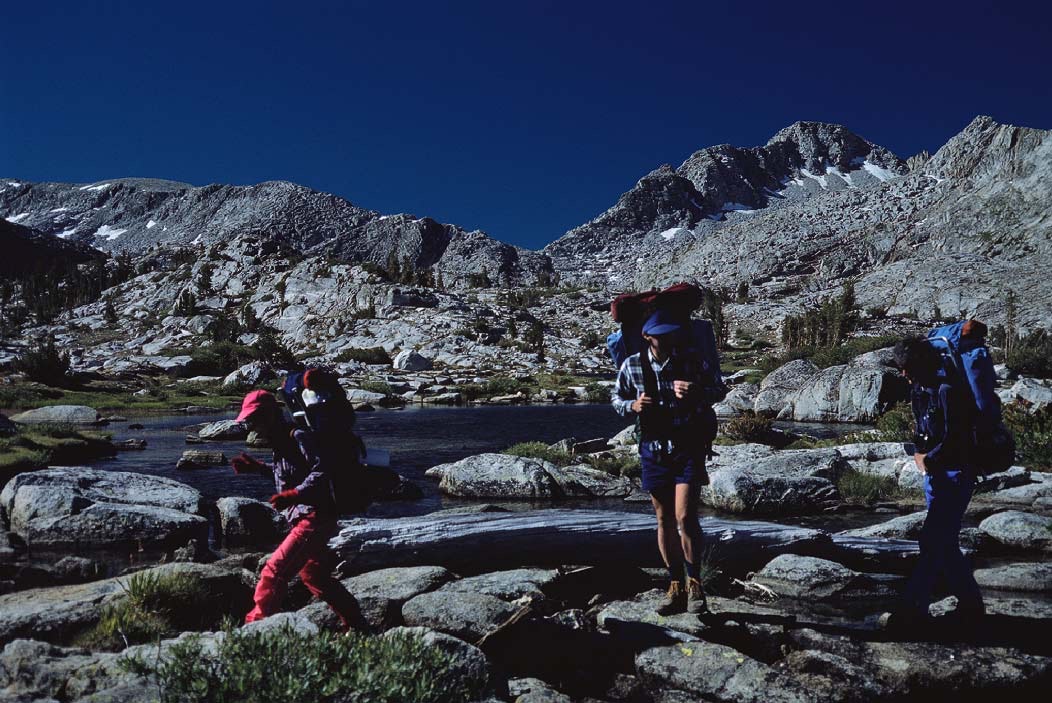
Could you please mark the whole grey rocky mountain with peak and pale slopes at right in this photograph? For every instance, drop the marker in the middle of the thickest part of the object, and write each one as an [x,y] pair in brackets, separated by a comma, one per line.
[958,233]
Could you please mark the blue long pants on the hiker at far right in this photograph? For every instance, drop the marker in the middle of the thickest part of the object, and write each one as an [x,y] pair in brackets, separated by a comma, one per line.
[947,496]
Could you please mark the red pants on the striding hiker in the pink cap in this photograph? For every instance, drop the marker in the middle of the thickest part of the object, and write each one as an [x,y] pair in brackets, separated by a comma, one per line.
[305,551]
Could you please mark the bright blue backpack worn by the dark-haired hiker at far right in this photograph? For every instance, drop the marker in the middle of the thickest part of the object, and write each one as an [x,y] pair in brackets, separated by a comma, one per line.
[967,365]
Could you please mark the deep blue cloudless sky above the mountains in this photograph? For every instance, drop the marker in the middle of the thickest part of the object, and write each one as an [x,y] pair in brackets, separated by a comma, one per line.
[522,119]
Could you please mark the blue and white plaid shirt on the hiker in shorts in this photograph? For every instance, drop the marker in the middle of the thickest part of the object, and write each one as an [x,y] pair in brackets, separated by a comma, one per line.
[709,387]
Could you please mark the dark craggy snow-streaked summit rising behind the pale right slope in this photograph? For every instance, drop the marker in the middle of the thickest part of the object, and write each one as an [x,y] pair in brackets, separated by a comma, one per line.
[670,206]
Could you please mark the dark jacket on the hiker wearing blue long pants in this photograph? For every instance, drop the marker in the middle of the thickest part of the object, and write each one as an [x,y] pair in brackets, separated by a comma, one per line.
[944,427]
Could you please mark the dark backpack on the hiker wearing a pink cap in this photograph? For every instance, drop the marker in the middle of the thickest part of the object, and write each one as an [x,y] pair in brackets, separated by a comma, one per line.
[319,405]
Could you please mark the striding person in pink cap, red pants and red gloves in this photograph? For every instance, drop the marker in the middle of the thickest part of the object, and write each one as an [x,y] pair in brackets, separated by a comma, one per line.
[302,477]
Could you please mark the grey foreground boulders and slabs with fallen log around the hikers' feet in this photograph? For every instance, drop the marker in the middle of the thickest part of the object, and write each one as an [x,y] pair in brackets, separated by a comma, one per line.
[556,604]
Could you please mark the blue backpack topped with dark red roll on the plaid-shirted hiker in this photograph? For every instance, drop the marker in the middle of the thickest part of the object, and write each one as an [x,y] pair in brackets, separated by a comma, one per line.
[699,342]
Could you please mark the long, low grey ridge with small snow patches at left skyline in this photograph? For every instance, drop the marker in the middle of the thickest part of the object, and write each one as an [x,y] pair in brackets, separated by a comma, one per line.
[135,215]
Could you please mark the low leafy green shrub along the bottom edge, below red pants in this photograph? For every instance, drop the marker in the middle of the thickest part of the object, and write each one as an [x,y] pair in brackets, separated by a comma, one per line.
[296,668]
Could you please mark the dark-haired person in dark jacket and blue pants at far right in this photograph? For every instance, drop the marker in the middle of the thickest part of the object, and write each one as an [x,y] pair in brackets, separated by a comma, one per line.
[945,450]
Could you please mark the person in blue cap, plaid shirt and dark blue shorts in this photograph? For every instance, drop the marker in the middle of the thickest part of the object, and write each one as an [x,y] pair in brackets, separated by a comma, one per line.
[672,393]
